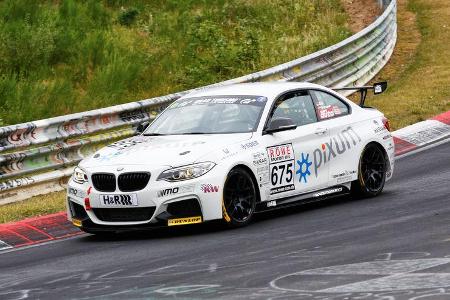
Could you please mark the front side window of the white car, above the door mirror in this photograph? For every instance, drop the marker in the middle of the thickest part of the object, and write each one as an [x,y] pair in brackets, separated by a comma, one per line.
[297,106]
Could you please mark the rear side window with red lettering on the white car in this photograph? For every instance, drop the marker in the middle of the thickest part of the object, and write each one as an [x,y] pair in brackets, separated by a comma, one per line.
[328,106]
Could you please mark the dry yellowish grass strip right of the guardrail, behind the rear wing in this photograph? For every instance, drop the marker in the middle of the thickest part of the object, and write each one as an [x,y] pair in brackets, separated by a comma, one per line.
[419,71]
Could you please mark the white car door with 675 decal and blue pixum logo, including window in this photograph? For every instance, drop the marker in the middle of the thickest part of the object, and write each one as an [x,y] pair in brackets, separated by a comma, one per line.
[296,159]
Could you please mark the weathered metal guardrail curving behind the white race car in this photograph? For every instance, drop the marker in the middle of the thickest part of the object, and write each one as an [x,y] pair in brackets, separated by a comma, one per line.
[38,157]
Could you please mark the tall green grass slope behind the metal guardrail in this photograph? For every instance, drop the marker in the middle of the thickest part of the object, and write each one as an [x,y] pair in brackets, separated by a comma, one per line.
[60,57]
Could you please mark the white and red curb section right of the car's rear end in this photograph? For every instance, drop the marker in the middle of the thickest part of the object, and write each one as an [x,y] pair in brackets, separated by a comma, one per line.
[422,134]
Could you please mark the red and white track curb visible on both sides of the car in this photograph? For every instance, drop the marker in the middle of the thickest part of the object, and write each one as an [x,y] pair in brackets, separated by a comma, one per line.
[55,226]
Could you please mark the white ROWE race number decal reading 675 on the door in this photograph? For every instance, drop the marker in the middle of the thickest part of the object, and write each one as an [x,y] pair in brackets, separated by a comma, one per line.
[281,164]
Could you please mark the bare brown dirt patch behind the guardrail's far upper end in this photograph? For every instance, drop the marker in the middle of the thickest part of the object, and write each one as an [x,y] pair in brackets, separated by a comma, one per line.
[361,12]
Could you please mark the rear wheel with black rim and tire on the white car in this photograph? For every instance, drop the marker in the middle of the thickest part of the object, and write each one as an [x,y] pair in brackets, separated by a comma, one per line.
[371,172]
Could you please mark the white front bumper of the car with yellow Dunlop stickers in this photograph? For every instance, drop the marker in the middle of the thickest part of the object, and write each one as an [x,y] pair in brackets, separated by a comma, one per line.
[159,204]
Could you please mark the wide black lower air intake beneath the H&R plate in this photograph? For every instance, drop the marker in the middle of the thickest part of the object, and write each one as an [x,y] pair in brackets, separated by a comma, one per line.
[124,214]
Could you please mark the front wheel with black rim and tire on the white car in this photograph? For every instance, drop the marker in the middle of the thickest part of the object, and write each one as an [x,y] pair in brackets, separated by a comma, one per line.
[239,198]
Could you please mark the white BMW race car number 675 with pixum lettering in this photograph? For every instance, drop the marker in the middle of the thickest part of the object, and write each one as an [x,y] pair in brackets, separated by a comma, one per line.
[229,152]
